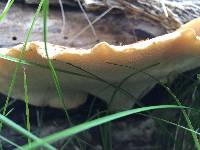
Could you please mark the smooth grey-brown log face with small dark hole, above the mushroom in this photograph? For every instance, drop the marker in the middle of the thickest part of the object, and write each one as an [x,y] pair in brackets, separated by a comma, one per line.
[77,32]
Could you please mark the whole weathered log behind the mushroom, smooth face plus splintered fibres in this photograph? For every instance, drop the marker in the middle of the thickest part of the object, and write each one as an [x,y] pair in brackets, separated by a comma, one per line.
[130,26]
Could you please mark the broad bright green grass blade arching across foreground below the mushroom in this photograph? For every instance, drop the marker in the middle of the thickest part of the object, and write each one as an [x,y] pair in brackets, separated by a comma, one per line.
[87,125]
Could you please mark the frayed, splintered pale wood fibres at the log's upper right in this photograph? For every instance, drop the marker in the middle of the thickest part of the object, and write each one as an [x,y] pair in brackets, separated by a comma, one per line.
[169,13]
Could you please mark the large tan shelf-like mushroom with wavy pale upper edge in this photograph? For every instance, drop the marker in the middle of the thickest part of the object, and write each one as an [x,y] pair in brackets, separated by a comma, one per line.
[177,51]
